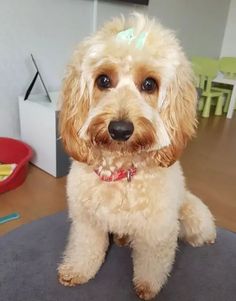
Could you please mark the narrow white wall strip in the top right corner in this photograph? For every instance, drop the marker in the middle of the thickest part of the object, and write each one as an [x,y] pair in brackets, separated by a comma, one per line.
[229,41]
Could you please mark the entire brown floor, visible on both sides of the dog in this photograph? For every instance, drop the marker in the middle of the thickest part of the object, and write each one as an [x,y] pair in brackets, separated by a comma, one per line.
[209,163]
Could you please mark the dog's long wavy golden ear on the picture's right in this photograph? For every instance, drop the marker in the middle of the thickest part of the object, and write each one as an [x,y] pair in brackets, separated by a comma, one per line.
[179,114]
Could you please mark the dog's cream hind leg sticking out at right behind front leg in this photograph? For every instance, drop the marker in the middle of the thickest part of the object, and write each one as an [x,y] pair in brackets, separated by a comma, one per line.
[196,222]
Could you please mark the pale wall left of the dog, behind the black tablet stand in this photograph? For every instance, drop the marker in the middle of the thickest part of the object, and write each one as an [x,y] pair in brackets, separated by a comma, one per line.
[49,29]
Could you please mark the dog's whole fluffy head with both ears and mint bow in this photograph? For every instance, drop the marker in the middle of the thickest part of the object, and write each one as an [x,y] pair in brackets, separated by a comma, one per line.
[128,94]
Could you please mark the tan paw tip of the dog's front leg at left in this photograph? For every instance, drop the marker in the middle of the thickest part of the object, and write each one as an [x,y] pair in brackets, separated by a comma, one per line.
[68,277]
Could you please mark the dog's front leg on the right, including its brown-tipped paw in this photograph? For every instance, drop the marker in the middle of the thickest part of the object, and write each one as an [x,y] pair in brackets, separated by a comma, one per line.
[152,264]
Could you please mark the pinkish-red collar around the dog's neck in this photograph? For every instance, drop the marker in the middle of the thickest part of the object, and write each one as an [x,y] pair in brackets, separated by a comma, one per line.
[117,175]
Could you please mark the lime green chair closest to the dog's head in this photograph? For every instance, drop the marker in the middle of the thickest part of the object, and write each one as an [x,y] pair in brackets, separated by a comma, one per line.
[206,70]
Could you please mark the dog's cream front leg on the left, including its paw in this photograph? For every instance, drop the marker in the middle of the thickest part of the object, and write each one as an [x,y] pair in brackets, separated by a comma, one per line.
[84,253]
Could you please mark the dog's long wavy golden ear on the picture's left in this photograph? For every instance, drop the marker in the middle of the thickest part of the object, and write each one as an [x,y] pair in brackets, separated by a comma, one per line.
[74,110]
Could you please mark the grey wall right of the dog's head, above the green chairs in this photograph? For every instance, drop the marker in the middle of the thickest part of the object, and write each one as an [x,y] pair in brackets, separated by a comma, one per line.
[199,24]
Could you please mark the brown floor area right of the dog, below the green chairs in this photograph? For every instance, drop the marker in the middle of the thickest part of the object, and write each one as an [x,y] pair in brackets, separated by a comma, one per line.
[209,163]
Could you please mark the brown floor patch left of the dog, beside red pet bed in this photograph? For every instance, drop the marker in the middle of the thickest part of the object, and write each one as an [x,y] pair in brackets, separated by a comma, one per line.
[40,195]
